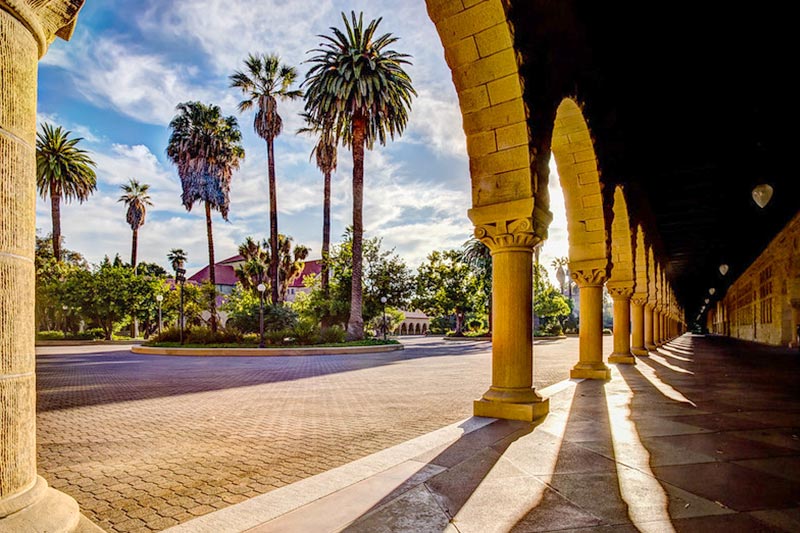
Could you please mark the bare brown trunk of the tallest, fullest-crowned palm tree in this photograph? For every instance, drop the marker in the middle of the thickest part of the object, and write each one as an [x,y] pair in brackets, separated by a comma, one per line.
[355,324]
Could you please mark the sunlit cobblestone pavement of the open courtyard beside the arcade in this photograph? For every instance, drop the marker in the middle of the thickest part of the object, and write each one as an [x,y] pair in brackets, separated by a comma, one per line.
[146,442]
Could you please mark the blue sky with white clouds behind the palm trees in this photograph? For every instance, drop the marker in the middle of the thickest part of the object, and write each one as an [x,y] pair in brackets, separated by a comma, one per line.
[117,82]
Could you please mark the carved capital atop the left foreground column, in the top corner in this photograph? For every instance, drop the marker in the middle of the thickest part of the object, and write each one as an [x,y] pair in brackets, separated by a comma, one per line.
[45,20]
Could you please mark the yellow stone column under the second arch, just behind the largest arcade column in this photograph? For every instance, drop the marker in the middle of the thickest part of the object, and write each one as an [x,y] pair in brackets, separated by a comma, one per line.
[590,283]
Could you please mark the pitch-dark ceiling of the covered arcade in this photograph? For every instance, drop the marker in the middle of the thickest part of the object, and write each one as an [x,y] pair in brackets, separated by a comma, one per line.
[690,106]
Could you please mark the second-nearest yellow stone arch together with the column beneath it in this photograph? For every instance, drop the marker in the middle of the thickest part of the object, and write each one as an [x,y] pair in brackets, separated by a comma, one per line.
[576,161]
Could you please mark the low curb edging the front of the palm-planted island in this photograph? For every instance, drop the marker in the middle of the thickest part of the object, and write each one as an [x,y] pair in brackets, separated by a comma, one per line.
[266,352]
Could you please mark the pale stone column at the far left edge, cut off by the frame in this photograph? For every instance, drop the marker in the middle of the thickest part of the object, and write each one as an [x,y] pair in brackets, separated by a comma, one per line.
[26,502]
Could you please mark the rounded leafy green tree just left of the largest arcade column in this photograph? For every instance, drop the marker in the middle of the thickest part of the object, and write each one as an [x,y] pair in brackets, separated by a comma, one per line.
[446,286]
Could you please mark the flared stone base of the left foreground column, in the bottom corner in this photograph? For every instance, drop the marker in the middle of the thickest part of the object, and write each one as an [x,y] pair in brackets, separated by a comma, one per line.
[47,510]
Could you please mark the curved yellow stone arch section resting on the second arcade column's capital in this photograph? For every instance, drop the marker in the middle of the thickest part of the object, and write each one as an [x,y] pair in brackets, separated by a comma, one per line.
[573,151]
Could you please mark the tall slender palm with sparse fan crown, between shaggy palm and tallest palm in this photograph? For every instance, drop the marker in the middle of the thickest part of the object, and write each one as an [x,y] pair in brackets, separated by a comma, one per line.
[265,80]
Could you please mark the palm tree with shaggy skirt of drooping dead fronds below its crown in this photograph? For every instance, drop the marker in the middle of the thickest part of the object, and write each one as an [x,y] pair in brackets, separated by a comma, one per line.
[206,148]
